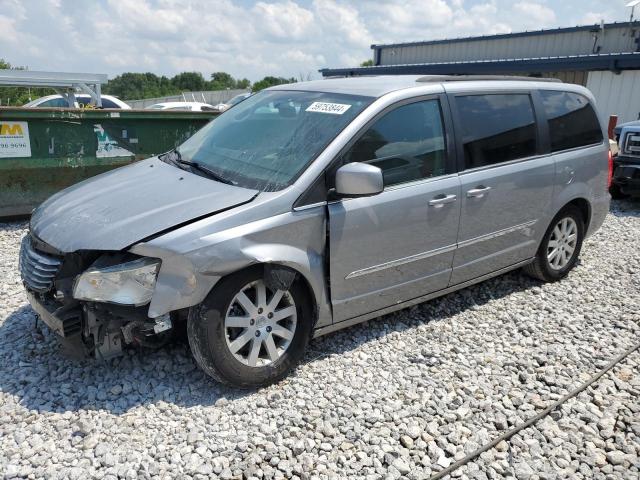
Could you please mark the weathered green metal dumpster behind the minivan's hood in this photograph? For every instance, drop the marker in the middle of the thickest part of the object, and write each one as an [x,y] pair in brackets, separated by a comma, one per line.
[43,151]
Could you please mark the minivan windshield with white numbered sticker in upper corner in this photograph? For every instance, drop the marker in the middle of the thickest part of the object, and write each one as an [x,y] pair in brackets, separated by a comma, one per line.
[266,141]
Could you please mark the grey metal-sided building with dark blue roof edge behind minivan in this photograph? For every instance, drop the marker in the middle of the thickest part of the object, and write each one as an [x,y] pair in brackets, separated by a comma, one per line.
[605,58]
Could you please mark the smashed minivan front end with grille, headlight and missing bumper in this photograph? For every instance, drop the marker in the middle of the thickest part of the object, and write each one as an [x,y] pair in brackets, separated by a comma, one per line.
[95,301]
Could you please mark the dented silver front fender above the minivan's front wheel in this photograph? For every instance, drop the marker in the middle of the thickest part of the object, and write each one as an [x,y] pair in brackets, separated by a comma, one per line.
[195,258]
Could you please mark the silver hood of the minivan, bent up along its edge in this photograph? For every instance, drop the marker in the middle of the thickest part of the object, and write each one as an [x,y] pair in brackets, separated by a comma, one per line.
[119,208]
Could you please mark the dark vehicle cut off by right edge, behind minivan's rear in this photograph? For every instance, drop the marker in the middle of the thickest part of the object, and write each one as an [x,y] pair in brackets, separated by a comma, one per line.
[626,165]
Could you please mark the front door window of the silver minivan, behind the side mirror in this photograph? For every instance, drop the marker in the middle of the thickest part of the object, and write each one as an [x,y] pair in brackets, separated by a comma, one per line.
[407,143]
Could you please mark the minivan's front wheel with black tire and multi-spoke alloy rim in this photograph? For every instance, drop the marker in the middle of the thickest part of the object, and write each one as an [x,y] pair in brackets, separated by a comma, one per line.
[249,334]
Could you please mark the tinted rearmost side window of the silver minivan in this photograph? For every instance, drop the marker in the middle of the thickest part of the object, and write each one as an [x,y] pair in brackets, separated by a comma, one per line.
[572,120]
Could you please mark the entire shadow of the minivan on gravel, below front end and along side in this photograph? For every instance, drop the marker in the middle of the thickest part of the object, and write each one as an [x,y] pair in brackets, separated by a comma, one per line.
[41,377]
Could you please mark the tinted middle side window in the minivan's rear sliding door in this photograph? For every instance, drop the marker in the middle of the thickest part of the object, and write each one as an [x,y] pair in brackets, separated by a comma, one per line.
[496,128]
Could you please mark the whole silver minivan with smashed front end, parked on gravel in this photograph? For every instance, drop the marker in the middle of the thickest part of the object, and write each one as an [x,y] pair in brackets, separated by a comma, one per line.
[314,206]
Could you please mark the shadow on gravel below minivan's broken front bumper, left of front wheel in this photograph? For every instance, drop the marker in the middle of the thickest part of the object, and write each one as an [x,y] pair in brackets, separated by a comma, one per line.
[41,376]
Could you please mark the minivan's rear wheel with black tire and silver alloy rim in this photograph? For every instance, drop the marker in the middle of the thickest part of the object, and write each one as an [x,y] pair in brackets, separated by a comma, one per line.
[559,249]
